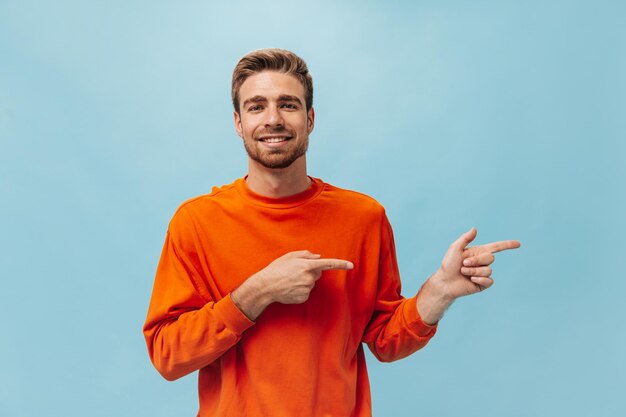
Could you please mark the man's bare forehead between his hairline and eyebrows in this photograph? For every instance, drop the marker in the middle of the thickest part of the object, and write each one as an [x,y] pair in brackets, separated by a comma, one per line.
[271,84]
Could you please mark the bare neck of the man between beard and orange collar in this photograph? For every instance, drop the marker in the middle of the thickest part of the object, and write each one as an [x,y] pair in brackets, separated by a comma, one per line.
[278,183]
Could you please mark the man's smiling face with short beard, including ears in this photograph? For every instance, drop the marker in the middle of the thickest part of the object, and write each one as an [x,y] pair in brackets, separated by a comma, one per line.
[272,119]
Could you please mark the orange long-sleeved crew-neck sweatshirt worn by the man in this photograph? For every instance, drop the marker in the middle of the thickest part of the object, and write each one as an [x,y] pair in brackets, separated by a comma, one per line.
[296,360]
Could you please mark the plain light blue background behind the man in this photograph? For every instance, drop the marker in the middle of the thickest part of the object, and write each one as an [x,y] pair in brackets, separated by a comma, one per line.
[506,115]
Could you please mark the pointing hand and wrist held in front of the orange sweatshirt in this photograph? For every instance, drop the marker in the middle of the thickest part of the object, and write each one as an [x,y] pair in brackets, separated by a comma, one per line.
[287,280]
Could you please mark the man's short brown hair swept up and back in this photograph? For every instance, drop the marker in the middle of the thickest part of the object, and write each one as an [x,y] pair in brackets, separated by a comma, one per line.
[272,59]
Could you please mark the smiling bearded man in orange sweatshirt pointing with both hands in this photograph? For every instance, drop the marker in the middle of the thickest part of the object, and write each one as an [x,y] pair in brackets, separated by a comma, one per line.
[270,285]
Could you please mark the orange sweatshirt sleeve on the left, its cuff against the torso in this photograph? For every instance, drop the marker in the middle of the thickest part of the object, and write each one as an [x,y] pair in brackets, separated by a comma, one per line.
[186,329]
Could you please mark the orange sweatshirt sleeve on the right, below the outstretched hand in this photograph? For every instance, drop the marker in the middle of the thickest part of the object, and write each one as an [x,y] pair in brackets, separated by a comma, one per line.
[396,330]
